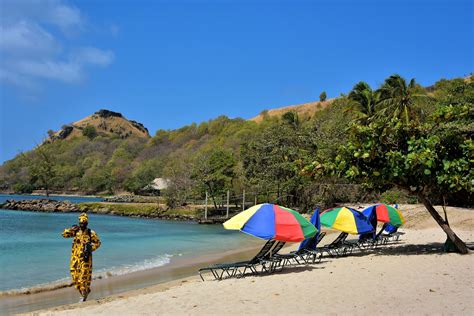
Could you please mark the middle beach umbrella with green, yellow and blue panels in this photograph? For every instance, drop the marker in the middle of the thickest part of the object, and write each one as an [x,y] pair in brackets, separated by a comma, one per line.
[346,220]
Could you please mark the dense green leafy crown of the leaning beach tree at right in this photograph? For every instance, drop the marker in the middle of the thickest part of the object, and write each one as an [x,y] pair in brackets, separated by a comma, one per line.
[432,157]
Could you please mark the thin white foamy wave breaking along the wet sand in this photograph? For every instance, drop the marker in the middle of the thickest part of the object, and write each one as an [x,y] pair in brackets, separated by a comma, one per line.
[147,264]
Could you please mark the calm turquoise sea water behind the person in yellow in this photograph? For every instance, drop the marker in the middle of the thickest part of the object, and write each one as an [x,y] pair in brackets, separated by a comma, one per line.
[33,252]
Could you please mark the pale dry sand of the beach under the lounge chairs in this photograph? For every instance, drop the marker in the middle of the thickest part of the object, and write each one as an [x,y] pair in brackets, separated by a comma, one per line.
[412,276]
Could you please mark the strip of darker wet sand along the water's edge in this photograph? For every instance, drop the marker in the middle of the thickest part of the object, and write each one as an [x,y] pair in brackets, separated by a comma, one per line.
[115,285]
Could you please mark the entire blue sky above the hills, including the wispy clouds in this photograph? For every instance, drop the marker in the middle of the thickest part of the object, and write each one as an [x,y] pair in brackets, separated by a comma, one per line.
[170,63]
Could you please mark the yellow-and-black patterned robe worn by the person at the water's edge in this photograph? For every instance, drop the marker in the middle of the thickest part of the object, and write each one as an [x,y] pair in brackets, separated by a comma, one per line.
[81,270]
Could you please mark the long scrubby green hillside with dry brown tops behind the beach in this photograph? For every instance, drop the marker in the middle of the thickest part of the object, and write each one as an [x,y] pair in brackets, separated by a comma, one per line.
[105,153]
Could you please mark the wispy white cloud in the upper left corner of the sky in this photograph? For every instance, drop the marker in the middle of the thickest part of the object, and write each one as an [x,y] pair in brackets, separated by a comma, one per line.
[32,50]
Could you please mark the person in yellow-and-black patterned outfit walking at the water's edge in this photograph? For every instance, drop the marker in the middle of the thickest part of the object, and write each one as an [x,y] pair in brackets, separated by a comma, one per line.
[85,242]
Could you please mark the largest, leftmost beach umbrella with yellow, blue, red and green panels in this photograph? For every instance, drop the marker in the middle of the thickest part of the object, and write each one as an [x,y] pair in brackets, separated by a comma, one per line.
[270,221]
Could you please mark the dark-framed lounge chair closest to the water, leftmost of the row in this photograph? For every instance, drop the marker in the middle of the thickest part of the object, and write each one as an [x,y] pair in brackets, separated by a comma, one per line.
[228,270]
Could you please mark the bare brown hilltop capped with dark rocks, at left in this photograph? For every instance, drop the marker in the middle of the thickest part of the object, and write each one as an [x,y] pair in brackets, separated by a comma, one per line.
[105,123]
